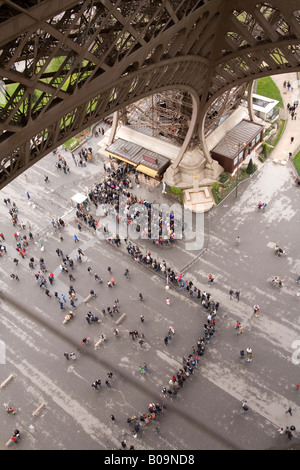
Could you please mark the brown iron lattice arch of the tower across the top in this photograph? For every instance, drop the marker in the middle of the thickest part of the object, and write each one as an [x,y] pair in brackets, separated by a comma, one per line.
[65,64]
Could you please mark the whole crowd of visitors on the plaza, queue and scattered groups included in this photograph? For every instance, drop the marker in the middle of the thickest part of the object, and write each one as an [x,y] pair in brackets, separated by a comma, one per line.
[116,184]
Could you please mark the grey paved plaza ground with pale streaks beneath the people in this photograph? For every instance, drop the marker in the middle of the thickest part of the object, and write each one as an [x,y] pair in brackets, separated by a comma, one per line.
[207,413]
